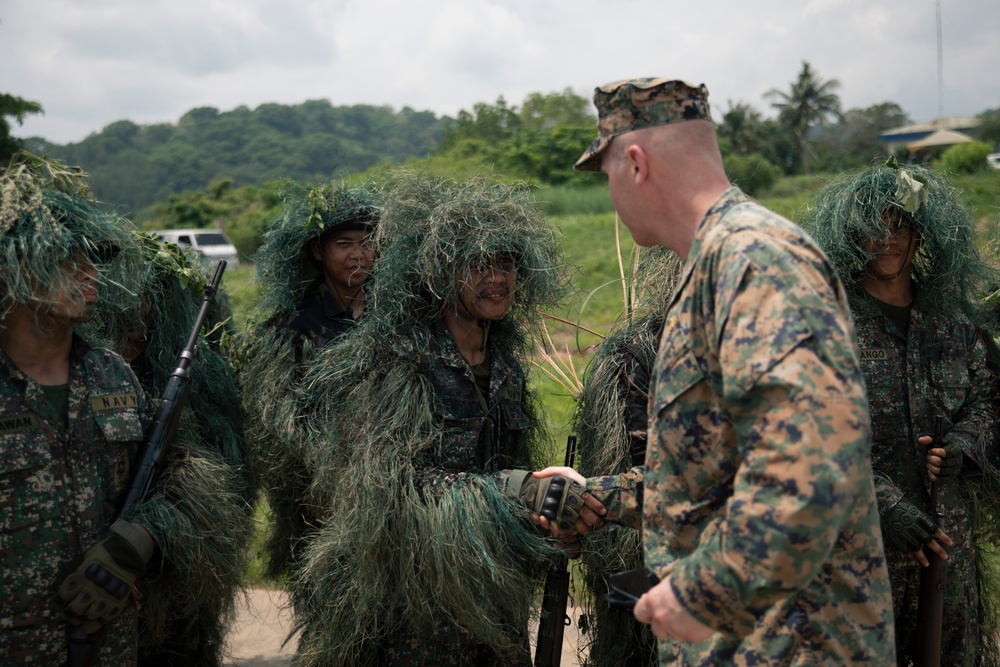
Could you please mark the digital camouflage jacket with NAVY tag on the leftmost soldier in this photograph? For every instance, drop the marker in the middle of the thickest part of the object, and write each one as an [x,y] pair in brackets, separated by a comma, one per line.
[60,485]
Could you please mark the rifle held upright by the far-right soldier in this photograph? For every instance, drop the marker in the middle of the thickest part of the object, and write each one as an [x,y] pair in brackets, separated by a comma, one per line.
[930,604]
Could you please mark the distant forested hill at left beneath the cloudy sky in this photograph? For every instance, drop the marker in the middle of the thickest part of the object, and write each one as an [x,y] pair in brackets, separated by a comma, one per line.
[134,166]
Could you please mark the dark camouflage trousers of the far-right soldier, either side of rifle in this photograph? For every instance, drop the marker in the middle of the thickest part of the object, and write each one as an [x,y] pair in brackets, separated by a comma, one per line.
[960,629]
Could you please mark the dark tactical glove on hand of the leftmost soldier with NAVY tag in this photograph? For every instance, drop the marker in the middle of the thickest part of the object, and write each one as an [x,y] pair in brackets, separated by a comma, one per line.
[100,579]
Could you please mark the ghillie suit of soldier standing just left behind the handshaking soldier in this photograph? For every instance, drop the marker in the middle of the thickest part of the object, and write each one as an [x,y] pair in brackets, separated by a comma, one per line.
[270,370]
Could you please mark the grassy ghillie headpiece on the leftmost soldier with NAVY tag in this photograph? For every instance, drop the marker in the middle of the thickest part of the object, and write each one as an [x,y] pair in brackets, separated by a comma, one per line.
[43,228]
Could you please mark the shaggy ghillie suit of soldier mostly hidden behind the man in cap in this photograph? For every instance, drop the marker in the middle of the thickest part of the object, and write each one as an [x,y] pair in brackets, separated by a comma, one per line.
[613,407]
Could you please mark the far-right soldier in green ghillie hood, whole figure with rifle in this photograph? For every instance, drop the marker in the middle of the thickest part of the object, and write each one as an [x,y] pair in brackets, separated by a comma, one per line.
[903,245]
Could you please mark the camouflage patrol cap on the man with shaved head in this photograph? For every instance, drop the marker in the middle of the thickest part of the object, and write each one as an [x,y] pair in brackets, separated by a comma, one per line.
[634,104]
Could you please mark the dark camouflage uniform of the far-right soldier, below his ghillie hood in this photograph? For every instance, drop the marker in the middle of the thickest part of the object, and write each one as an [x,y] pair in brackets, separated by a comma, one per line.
[937,367]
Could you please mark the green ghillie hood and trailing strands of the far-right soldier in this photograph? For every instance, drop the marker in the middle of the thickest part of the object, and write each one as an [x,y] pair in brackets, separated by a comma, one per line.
[950,275]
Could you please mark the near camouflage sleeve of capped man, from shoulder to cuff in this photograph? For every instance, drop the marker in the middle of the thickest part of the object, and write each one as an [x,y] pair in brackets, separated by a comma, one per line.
[794,395]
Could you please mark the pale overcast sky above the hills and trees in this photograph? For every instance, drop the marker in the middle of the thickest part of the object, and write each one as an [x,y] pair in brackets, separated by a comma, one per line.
[93,62]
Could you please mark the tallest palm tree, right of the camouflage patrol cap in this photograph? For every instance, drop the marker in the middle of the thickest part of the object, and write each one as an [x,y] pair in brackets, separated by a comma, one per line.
[808,103]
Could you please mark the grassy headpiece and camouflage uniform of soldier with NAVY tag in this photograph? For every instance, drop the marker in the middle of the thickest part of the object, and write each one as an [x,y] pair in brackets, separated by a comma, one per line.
[62,474]
